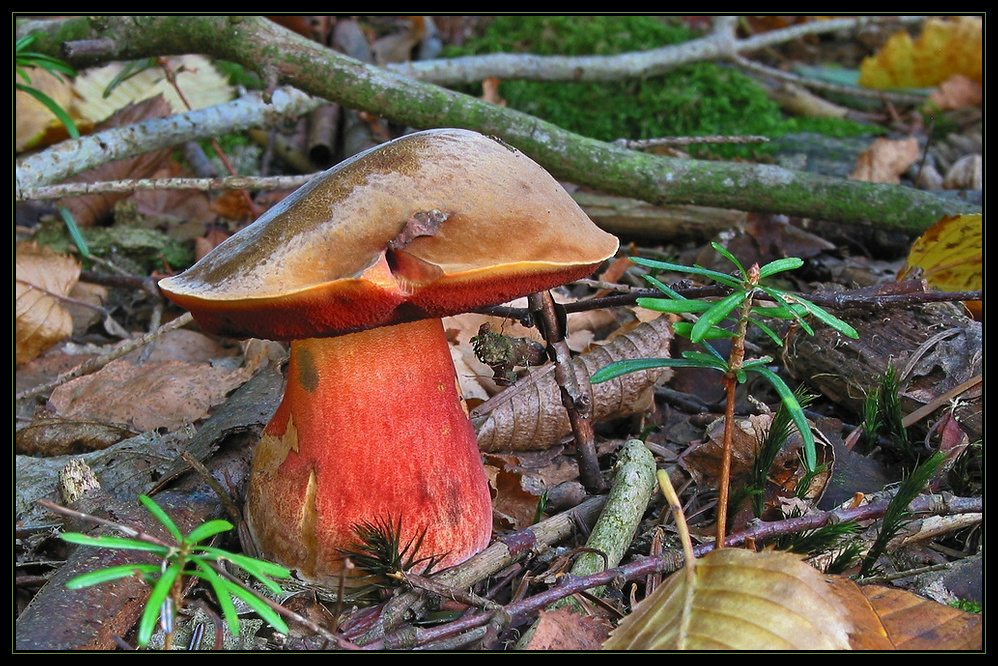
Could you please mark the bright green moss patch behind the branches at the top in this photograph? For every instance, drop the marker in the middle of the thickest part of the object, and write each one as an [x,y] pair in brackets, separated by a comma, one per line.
[699,99]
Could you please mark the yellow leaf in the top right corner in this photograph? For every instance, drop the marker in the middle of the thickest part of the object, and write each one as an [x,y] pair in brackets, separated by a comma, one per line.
[944,48]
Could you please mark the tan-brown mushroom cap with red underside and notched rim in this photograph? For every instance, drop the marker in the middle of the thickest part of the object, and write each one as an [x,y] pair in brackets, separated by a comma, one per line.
[427,225]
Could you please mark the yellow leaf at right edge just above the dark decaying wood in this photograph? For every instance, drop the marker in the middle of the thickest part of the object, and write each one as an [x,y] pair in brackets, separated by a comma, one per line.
[949,256]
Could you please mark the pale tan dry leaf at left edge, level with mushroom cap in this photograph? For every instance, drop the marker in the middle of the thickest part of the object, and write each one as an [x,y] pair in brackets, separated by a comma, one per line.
[40,321]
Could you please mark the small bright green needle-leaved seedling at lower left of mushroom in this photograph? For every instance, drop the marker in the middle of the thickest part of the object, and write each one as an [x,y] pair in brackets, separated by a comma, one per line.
[180,560]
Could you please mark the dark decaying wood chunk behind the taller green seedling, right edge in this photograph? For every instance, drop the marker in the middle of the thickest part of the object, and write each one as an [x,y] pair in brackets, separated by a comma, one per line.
[933,346]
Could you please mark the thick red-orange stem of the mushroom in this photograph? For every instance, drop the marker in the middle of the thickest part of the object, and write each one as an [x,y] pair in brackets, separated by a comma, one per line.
[372,430]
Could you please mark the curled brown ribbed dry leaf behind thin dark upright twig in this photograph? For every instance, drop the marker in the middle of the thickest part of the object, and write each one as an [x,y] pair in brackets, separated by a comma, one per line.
[534,417]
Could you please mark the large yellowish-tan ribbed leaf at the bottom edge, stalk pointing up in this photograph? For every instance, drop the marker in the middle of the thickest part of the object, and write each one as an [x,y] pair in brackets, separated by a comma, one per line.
[739,600]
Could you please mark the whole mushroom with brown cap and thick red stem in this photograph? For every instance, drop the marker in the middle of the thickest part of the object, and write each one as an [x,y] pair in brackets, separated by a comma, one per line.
[355,269]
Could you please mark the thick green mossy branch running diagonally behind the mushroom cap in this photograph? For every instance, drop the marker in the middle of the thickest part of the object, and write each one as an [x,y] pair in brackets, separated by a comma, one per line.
[283,57]
